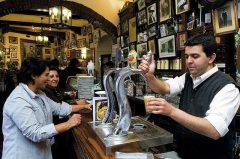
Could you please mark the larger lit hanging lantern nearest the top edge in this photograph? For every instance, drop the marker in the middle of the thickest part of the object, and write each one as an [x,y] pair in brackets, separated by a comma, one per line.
[60,16]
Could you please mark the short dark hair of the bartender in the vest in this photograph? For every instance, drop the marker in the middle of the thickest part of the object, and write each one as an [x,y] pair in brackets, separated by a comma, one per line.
[207,41]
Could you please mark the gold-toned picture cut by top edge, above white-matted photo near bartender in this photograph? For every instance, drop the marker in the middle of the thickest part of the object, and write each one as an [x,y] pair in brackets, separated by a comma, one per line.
[165,10]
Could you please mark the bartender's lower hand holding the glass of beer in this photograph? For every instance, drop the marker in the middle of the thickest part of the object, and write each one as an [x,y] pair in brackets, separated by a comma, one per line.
[160,106]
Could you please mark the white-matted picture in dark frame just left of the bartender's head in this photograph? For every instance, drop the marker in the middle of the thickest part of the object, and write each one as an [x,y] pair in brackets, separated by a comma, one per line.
[166,46]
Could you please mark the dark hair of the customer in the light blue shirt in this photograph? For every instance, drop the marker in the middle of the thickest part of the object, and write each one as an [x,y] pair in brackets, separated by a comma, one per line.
[30,67]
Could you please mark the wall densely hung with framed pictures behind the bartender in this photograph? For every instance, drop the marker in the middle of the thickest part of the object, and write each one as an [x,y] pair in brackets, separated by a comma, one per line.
[163,26]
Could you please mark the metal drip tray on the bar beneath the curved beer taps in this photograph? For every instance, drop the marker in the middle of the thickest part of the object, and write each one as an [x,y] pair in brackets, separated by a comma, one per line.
[141,132]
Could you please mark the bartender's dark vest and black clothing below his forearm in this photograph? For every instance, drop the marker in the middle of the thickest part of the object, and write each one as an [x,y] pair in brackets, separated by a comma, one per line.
[191,145]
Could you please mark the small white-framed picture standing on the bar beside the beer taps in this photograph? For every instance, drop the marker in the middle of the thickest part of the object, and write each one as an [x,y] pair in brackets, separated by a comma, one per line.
[100,106]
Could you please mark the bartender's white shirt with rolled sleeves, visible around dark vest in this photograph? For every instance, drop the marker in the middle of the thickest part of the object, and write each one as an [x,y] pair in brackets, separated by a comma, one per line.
[224,105]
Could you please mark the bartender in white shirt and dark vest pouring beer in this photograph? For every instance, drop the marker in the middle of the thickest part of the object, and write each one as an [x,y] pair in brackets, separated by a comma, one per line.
[209,101]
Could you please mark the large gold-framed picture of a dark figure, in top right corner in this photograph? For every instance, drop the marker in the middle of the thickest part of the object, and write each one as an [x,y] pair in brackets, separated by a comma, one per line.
[225,18]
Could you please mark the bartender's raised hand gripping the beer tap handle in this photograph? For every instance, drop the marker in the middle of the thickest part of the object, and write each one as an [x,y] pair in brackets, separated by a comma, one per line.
[146,67]
